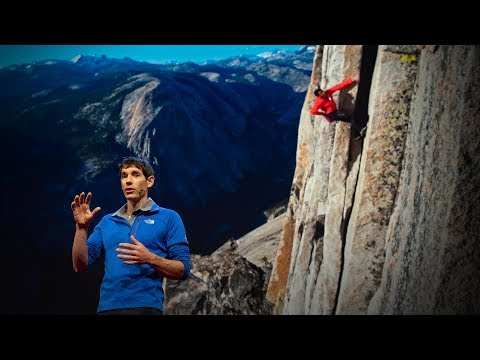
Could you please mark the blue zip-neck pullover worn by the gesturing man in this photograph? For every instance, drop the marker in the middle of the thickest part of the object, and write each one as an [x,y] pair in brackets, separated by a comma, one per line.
[161,231]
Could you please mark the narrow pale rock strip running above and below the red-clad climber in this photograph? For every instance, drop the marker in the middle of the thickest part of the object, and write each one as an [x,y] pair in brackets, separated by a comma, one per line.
[308,242]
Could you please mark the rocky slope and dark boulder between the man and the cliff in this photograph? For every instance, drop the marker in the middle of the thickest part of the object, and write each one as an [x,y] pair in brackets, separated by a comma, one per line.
[232,281]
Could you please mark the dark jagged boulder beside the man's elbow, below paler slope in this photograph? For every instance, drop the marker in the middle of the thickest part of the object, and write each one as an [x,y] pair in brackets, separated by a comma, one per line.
[220,284]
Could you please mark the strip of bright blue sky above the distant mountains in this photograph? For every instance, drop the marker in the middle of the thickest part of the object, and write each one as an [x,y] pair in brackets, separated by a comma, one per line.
[22,54]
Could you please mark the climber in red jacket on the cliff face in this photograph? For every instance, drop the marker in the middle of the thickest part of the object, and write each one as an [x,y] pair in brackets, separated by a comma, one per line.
[325,105]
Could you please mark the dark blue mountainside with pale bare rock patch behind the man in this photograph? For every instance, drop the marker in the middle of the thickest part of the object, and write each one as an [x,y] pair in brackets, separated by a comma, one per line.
[223,152]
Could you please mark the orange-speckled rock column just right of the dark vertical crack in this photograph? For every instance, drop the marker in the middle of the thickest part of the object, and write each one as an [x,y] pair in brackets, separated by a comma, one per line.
[389,110]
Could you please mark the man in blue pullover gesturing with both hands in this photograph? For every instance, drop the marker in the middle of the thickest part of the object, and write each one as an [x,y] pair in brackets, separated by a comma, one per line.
[141,243]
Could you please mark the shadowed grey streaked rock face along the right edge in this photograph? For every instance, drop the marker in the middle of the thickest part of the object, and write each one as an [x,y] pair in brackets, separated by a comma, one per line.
[432,244]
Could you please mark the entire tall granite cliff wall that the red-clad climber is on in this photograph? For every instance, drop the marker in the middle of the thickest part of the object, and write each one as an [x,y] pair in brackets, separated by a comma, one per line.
[388,224]
